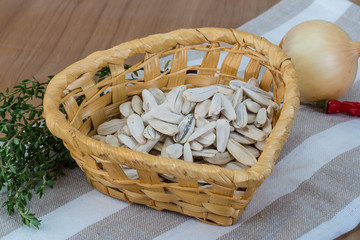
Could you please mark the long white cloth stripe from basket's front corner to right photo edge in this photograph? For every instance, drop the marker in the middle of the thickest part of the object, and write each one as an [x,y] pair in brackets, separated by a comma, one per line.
[298,166]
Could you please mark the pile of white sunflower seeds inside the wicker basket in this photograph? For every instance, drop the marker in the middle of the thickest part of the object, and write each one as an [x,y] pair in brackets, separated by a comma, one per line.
[223,125]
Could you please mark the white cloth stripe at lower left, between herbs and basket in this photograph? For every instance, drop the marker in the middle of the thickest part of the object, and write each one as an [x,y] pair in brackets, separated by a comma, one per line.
[71,218]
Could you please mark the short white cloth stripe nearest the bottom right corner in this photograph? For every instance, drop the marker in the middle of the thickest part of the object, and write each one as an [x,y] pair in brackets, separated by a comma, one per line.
[348,218]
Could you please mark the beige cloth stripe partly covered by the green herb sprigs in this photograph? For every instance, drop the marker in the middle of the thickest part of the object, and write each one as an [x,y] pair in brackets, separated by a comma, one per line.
[67,188]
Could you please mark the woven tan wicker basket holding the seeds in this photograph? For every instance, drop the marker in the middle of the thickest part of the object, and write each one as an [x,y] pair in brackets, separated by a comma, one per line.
[221,204]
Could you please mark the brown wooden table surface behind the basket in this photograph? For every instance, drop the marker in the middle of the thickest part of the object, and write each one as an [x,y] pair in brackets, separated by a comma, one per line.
[41,37]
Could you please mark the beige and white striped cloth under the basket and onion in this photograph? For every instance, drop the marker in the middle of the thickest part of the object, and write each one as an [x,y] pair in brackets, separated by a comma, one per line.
[313,192]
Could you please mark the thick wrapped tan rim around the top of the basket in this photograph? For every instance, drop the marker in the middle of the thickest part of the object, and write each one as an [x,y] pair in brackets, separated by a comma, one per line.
[59,126]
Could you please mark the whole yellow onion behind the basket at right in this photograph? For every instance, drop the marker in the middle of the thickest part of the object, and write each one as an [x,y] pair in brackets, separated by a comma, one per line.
[325,59]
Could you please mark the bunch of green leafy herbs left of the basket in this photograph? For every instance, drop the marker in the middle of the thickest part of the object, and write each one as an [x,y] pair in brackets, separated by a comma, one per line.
[31,157]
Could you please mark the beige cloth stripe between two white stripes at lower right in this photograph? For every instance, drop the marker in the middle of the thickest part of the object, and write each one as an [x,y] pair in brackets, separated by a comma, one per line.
[315,201]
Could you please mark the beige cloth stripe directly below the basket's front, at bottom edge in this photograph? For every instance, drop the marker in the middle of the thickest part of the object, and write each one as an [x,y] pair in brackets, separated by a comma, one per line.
[133,222]
